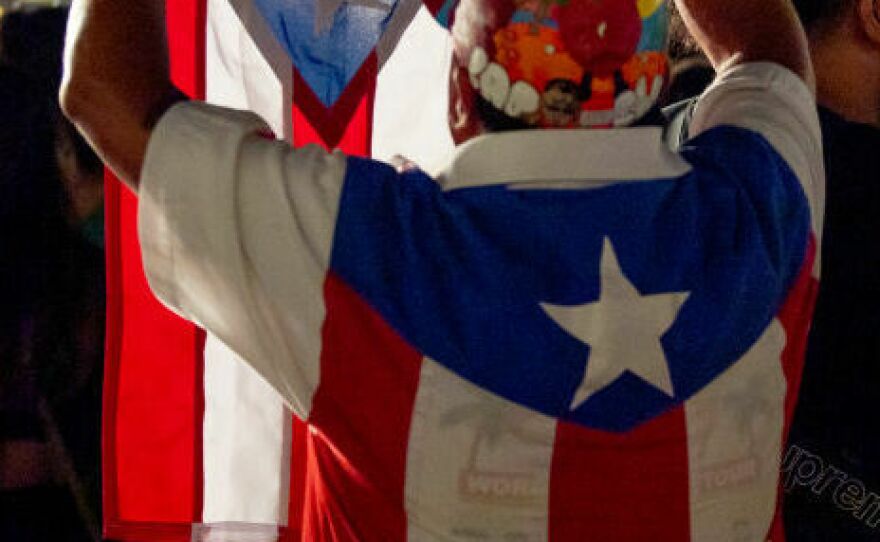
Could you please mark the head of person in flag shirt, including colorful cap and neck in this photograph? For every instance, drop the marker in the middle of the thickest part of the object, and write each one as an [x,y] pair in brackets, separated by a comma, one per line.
[520,64]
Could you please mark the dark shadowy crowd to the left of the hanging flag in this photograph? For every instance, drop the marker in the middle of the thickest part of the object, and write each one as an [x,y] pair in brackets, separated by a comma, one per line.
[52,287]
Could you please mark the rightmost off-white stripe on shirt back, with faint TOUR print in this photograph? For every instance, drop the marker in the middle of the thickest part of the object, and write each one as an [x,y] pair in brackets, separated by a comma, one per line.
[734,445]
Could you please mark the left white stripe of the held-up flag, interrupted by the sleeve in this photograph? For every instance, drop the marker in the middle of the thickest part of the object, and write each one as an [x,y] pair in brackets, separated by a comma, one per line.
[246,427]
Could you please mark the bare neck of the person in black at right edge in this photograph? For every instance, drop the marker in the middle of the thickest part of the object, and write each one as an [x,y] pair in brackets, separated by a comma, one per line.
[848,76]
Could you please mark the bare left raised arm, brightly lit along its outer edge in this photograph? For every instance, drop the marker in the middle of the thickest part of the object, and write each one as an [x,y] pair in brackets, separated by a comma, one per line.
[116,77]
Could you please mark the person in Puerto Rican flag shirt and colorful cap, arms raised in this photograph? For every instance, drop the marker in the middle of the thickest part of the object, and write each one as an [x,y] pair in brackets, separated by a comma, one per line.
[572,333]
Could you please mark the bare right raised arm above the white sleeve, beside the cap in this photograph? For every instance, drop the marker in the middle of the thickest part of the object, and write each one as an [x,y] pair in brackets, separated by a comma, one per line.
[749,31]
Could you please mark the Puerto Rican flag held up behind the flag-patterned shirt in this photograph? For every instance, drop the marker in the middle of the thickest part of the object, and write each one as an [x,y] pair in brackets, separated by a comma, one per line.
[196,446]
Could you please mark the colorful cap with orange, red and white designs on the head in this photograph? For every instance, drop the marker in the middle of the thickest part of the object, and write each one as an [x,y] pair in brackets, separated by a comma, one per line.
[573,63]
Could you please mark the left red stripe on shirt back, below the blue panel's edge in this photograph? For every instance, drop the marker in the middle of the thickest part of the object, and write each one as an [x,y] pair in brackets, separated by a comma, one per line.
[359,425]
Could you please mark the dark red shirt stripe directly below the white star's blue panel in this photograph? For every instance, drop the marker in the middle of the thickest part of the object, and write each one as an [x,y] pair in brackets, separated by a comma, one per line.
[623,487]
